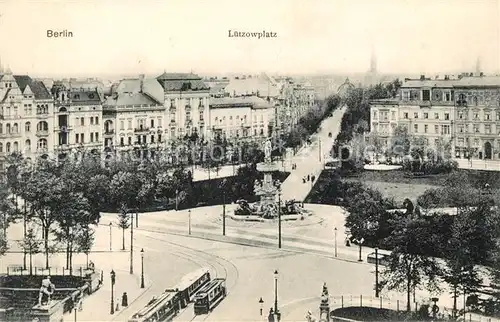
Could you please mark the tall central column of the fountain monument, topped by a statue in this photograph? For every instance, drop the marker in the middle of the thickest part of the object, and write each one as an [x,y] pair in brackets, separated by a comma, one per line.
[267,190]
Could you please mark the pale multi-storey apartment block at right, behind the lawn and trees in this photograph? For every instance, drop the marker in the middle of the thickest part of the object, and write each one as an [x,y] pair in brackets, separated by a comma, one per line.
[462,111]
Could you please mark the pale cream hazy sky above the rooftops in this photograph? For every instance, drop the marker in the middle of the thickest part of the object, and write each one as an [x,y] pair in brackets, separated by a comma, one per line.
[313,36]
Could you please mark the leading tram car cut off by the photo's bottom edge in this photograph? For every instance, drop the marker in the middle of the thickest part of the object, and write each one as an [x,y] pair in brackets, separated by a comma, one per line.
[165,308]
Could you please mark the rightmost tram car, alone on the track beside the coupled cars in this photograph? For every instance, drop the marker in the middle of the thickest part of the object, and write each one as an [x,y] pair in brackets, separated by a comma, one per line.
[210,296]
